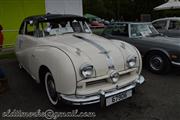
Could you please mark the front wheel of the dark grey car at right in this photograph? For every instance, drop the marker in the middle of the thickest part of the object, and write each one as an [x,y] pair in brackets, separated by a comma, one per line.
[158,62]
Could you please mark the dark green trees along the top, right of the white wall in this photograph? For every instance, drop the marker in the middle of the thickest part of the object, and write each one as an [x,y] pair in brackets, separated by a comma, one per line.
[129,9]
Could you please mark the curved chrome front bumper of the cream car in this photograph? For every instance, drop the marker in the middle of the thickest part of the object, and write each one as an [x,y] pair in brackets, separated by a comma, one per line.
[101,95]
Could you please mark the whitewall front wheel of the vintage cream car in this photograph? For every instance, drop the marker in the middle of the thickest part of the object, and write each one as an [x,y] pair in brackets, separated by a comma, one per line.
[51,89]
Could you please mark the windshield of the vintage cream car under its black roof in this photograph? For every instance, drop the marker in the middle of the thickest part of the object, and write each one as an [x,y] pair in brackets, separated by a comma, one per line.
[59,27]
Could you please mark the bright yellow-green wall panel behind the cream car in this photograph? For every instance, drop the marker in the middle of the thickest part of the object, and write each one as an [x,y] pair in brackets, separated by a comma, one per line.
[12,12]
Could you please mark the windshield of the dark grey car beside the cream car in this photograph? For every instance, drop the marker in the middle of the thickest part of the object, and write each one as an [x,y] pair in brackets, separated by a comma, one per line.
[143,30]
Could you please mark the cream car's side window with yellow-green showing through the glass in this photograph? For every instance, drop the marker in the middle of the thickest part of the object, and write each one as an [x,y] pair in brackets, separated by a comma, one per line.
[30,29]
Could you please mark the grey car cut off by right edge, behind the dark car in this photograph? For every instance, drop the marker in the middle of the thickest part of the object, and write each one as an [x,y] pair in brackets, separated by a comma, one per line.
[168,26]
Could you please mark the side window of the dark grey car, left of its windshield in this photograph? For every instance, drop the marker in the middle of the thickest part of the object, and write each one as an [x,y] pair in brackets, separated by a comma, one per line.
[120,30]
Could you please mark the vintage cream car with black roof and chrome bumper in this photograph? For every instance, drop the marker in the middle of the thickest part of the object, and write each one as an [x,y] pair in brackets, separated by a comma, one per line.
[75,65]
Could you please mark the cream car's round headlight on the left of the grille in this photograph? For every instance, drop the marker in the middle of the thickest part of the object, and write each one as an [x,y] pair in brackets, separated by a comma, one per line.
[87,71]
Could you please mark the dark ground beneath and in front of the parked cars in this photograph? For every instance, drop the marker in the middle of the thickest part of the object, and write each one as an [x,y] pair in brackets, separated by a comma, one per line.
[157,99]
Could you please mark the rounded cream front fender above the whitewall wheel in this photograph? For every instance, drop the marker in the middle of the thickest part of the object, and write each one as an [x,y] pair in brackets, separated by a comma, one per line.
[60,65]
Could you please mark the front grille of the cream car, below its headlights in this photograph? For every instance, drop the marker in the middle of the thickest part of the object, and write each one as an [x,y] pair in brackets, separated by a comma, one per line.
[105,83]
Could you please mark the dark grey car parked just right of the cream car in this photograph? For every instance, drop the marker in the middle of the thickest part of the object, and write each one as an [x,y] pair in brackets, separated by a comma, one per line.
[158,52]
